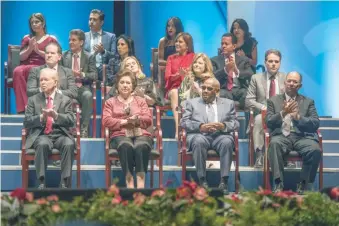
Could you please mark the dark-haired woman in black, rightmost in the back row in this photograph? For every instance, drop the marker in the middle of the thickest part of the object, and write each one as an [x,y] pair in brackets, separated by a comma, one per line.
[246,44]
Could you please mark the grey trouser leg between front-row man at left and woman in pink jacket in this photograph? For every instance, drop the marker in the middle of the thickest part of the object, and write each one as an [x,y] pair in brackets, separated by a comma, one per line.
[85,99]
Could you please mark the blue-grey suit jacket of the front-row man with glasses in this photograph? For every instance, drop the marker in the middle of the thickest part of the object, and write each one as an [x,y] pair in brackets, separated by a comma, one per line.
[195,115]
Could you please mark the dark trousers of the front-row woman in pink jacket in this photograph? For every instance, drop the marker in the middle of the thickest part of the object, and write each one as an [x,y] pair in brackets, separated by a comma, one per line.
[133,152]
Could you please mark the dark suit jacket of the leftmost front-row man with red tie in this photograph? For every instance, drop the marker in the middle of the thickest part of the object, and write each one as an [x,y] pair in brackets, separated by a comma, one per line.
[65,120]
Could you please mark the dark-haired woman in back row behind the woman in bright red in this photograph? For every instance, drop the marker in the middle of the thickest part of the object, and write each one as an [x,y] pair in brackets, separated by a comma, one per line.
[167,43]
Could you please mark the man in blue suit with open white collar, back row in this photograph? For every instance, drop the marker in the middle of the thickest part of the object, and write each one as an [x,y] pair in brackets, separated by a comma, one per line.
[98,42]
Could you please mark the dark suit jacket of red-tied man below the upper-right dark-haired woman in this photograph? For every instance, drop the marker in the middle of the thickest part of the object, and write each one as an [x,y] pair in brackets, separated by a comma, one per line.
[243,65]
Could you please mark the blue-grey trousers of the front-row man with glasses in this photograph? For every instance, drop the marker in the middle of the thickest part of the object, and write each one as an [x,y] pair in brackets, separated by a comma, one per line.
[222,144]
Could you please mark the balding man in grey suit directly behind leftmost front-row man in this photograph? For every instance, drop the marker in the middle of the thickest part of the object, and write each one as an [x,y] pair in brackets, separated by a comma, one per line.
[66,82]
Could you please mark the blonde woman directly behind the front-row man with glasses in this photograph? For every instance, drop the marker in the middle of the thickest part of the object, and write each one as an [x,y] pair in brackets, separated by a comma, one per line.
[200,69]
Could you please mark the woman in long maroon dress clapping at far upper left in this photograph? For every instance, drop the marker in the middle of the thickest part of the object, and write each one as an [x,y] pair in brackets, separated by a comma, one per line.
[32,54]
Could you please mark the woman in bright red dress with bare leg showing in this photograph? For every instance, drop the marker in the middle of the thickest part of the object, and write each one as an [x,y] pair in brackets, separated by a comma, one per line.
[176,69]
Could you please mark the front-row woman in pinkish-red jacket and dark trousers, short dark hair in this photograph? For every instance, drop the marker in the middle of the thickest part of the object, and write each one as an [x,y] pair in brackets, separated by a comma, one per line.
[127,117]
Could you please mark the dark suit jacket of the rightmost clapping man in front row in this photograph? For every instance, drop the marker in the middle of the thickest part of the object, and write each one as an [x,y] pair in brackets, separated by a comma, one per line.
[307,125]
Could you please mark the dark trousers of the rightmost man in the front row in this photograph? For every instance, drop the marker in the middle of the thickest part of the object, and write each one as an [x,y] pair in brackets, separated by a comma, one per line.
[309,150]
